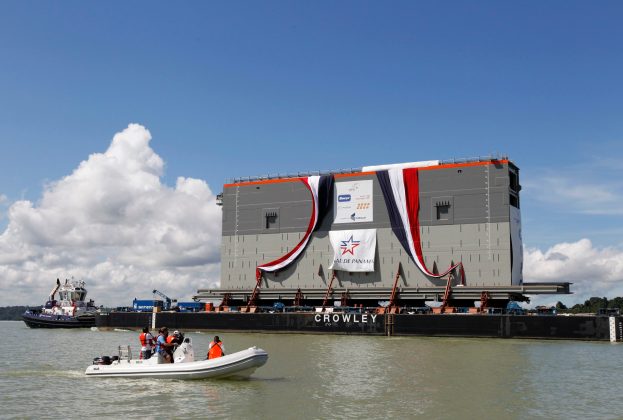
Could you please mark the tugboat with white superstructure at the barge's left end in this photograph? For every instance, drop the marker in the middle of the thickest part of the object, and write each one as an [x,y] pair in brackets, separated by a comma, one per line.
[70,311]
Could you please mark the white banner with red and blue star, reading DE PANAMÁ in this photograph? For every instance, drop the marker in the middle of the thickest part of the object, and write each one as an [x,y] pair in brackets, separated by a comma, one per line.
[353,250]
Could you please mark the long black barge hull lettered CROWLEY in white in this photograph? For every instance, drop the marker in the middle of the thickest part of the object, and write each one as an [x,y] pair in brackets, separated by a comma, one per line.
[448,325]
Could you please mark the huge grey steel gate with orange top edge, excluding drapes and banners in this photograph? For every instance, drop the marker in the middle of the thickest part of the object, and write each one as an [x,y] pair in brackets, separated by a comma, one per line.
[468,212]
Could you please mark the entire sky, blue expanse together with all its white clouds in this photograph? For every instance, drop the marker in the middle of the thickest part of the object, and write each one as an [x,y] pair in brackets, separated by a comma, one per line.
[120,122]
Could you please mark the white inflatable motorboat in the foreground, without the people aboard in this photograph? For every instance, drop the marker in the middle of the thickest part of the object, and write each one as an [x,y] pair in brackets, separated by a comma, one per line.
[236,365]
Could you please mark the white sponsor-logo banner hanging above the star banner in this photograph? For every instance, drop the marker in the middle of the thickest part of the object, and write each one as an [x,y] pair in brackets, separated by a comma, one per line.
[354,202]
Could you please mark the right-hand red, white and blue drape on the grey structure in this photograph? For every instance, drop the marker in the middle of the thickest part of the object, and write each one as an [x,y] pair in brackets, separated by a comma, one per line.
[402,196]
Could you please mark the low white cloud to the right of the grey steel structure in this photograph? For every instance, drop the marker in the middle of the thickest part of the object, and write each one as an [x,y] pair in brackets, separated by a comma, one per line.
[593,271]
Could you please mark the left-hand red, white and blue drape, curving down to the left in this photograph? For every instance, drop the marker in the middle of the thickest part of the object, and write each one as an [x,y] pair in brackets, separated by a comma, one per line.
[320,188]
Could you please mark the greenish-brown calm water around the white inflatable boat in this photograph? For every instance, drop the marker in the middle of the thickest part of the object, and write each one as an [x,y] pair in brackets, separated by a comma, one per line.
[318,377]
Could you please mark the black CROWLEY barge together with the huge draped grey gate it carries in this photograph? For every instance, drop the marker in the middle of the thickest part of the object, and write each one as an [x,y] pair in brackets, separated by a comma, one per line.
[358,251]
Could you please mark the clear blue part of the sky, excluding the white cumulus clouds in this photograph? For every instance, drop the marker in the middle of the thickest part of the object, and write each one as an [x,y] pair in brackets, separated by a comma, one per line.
[245,88]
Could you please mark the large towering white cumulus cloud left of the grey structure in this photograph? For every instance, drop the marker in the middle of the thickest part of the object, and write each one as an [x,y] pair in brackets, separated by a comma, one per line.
[113,223]
